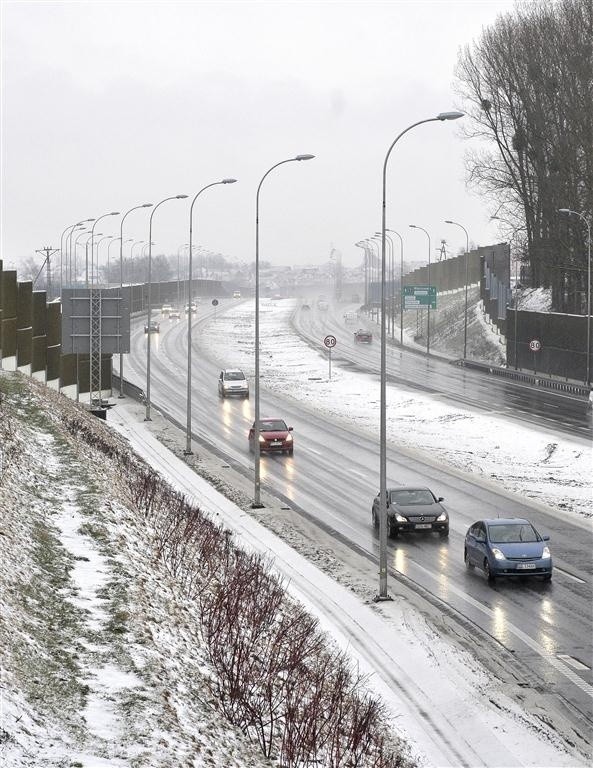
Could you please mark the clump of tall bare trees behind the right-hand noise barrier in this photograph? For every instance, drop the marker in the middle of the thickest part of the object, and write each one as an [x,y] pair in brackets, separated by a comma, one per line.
[528,84]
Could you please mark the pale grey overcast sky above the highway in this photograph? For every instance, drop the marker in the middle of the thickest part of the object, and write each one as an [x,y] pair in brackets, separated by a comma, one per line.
[106,105]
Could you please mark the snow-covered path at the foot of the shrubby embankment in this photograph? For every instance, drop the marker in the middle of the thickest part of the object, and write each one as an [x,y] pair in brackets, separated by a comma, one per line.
[446,706]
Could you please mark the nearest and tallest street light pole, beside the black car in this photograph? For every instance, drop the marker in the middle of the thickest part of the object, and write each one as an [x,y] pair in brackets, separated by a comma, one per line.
[383,407]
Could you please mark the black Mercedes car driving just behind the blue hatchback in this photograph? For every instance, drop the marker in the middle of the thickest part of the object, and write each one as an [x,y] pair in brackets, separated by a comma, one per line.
[412,509]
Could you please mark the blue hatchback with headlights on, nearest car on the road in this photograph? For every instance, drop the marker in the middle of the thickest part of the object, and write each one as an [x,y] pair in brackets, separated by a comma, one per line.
[507,547]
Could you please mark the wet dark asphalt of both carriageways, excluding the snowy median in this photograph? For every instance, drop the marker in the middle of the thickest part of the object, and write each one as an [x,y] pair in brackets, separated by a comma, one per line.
[540,633]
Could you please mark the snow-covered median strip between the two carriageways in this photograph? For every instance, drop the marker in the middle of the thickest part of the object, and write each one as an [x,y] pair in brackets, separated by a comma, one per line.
[540,465]
